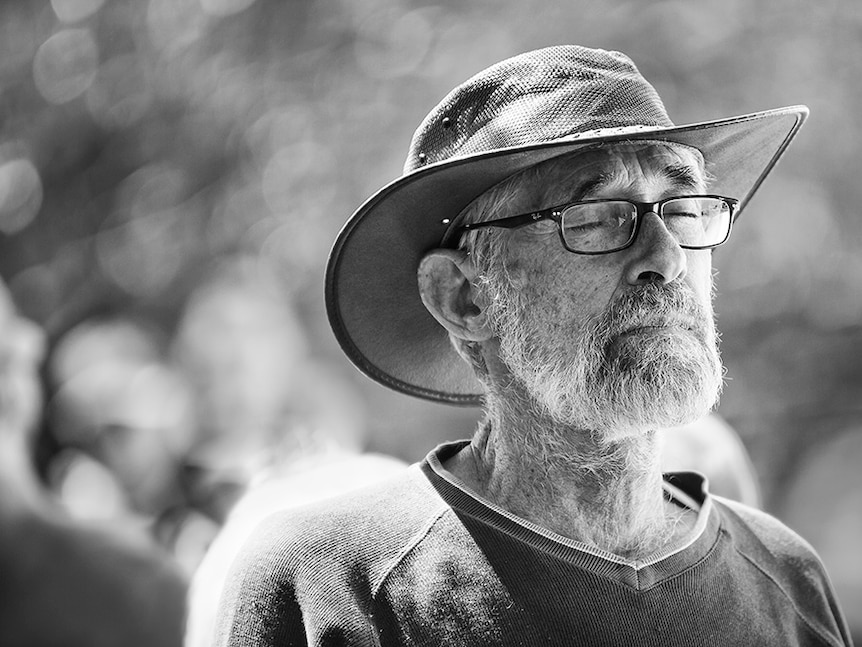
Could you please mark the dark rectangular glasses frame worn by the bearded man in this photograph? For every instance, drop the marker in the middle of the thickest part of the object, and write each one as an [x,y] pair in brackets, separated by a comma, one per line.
[641,209]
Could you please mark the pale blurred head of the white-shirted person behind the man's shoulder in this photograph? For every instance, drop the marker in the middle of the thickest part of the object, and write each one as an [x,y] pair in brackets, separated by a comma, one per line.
[261,402]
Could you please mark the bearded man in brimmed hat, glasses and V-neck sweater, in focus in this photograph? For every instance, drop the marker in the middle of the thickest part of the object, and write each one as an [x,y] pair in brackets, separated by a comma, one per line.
[561,227]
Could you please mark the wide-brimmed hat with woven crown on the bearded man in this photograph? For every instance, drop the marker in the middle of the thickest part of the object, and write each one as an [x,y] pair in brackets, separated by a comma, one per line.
[509,117]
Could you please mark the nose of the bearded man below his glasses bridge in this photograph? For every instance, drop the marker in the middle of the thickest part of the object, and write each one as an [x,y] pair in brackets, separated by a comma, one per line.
[656,256]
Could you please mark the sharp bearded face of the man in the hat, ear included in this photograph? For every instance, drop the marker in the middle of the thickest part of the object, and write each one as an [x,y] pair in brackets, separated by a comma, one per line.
[612,342]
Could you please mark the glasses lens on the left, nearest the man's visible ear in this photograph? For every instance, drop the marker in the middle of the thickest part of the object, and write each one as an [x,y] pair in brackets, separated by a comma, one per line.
[598,226]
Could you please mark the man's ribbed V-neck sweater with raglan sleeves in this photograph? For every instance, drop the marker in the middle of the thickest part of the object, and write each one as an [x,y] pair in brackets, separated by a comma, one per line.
[420,561]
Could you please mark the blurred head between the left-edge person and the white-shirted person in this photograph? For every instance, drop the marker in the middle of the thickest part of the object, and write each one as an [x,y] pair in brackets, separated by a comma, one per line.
[117,398]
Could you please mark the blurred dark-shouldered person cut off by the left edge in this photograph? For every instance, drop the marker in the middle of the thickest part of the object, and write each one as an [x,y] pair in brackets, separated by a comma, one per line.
[64,582]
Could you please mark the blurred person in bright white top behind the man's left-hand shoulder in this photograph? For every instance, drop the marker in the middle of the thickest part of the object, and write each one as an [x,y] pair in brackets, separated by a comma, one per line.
[278,430]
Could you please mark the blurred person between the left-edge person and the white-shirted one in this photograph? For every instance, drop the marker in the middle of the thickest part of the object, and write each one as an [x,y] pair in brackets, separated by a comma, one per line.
[124,415]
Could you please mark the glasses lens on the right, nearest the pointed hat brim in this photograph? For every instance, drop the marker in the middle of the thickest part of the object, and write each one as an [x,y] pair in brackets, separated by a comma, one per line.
[697,221]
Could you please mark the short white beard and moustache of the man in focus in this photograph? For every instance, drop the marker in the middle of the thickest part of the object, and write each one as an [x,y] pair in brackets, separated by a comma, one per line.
[601,379]
